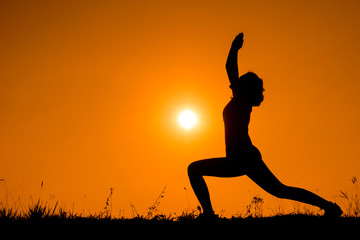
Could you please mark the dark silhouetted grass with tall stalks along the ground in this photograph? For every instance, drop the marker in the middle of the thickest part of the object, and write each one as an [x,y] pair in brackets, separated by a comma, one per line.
[41,212]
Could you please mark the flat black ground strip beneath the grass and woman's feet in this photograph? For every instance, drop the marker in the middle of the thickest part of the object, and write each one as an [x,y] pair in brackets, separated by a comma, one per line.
[287,226]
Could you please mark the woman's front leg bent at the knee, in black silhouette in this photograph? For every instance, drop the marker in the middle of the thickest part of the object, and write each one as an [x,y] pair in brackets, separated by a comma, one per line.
[218,167]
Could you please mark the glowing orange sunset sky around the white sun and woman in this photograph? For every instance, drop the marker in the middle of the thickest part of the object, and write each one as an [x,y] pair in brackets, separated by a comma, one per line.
[90,91]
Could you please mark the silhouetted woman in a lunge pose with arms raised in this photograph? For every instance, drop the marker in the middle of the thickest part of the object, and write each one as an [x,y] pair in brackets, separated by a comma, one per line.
[243,158]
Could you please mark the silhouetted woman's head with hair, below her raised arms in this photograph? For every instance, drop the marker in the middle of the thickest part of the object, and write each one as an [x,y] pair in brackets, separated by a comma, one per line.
[250,86]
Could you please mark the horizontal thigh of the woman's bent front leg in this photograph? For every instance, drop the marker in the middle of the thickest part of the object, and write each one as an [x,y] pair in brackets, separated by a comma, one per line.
[217,167]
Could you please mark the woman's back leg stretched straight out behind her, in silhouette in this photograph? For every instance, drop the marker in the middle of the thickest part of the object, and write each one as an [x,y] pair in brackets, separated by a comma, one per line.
[263,177]
